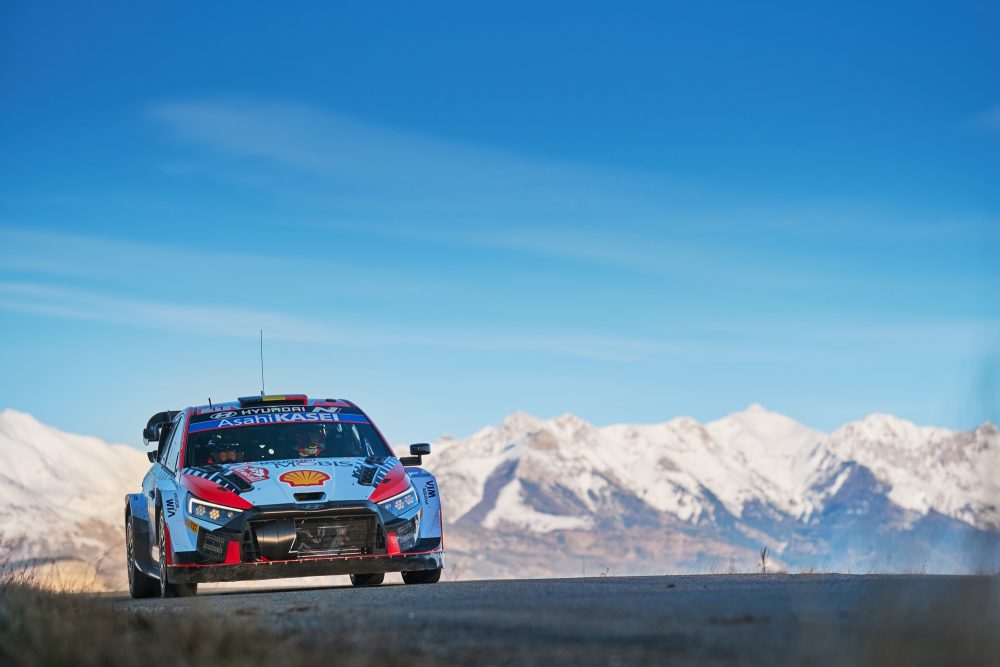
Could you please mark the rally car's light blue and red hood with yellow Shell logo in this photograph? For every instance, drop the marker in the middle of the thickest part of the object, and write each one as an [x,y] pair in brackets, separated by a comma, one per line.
[265,483]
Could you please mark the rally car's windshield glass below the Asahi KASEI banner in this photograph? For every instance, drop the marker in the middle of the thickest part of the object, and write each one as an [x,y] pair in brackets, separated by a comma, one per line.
[275,442]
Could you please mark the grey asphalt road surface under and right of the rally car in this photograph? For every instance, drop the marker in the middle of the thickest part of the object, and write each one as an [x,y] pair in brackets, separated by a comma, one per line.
[728,619]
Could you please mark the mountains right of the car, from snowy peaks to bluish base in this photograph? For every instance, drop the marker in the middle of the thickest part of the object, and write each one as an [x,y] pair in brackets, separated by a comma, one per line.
[879,493]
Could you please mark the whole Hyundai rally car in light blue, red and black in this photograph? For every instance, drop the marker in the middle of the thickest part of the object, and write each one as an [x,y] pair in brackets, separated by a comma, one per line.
[278,486]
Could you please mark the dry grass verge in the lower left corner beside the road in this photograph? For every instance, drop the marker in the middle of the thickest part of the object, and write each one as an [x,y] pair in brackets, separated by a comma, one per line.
[43,627]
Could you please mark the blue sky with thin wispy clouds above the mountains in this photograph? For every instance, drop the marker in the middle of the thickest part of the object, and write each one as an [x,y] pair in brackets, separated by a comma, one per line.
[449,212]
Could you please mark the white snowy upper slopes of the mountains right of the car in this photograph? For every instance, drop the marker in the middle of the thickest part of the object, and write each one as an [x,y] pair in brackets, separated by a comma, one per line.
[684,468]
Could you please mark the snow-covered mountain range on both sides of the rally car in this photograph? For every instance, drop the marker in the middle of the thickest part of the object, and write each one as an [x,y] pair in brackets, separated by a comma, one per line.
[536,497]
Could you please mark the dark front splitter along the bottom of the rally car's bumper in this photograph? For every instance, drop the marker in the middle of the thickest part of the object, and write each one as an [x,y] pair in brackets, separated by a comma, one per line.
[305,567]
